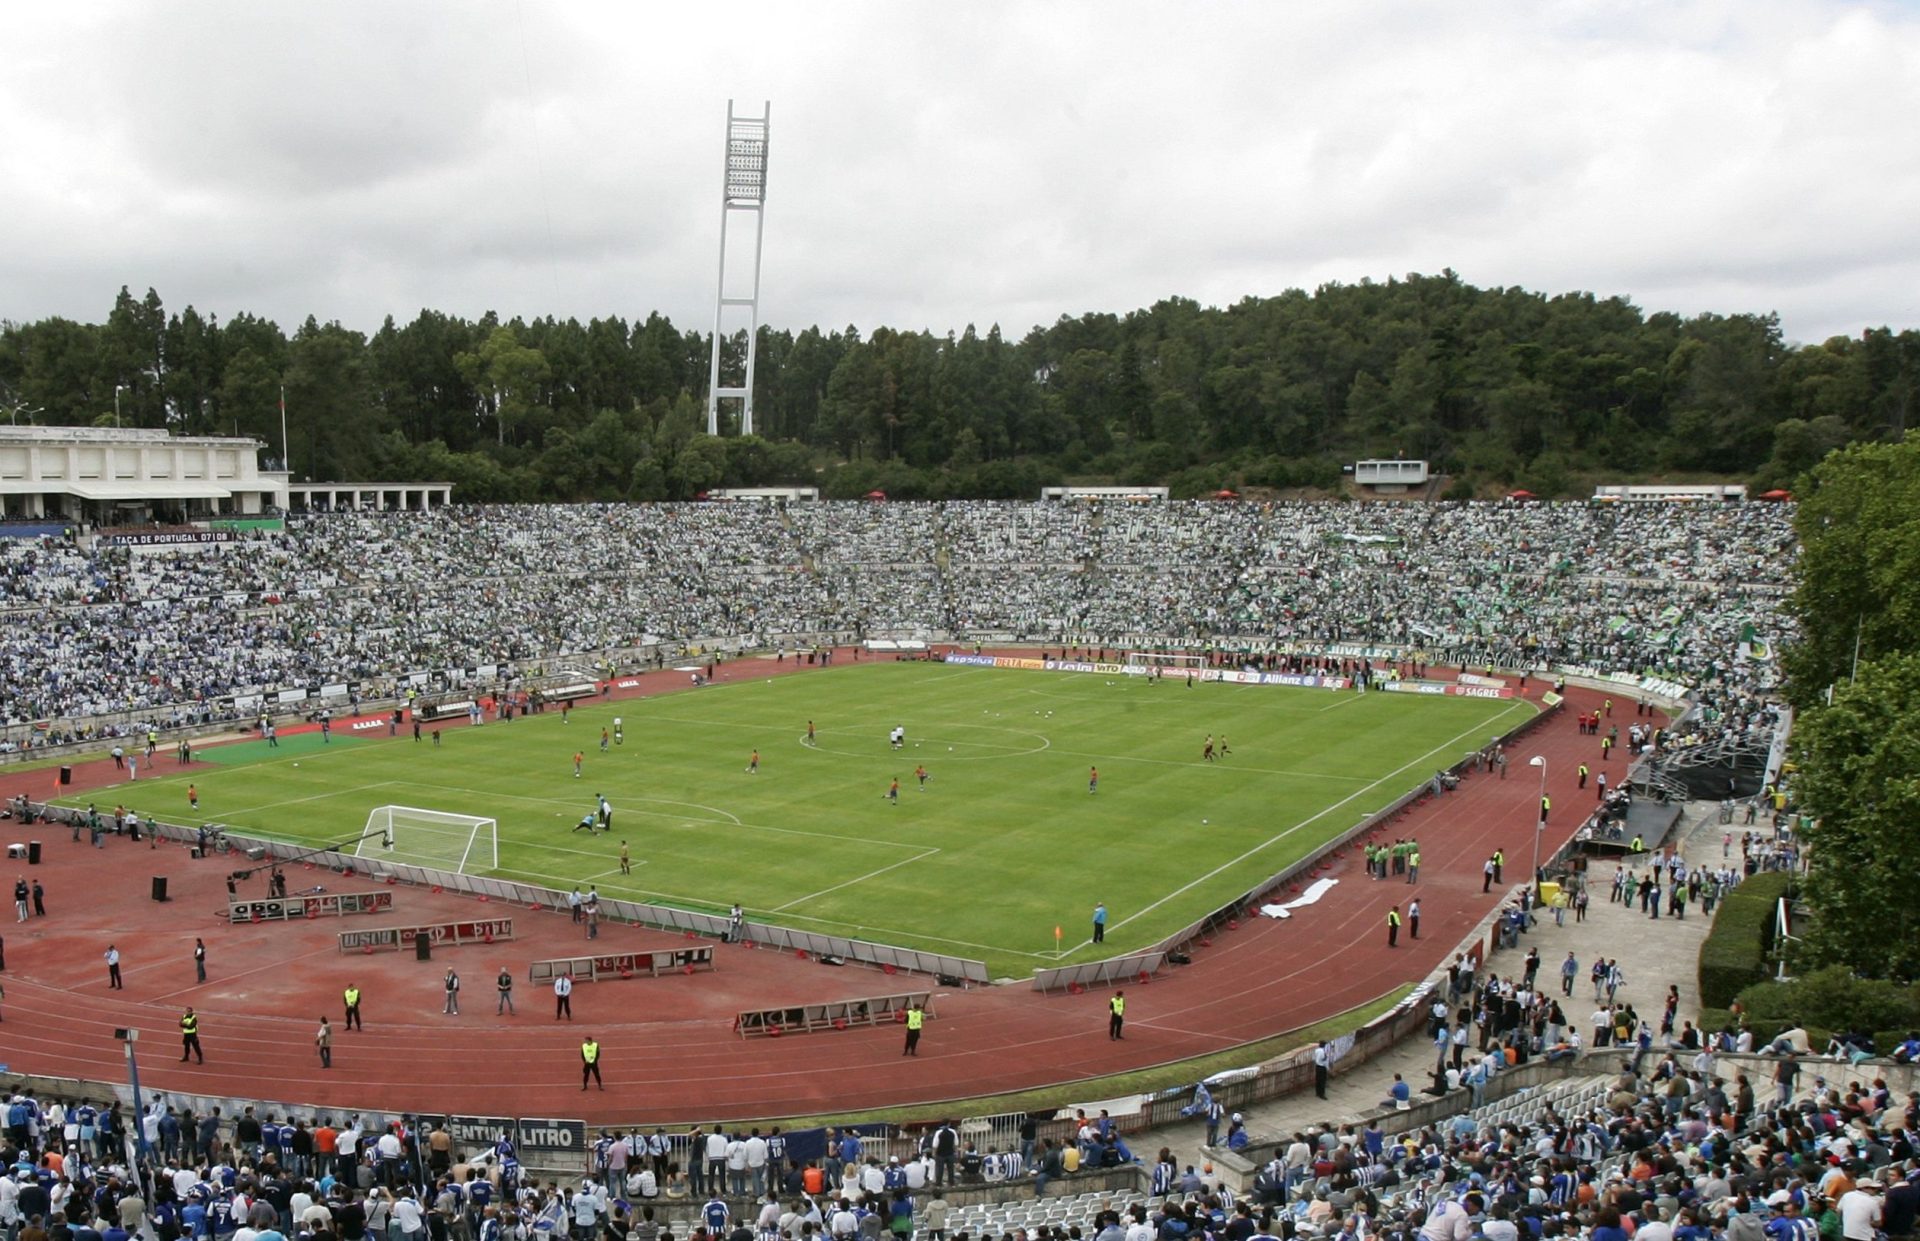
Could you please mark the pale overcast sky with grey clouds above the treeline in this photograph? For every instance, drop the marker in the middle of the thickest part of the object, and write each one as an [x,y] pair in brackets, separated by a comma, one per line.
[938,166]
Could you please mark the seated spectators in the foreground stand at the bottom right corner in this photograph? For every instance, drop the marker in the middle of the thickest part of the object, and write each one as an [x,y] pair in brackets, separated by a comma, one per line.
[1673,1152]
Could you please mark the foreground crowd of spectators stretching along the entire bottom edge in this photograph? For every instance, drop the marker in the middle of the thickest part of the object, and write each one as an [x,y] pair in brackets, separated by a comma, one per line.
[1671,1148]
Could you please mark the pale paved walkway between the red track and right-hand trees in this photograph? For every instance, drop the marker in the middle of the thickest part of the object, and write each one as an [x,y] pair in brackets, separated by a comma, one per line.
[1652,954]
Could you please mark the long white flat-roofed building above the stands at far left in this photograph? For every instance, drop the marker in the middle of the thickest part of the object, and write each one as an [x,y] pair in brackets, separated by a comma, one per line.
[112,475]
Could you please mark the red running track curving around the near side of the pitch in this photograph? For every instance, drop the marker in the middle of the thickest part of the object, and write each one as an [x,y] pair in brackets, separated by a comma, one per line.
[669,1052]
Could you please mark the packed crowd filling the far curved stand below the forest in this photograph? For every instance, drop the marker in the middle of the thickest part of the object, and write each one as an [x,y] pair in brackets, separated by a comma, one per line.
[168,633]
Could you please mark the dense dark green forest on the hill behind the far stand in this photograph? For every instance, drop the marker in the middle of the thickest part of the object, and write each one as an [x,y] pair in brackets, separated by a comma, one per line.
[1497,387]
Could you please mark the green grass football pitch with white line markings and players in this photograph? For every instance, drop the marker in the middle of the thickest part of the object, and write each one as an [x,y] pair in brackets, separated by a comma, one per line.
[997,850]
